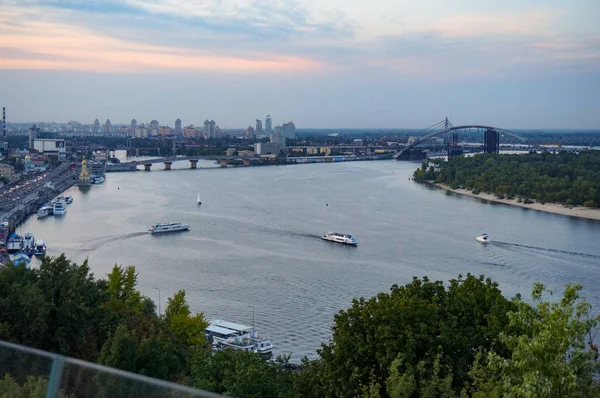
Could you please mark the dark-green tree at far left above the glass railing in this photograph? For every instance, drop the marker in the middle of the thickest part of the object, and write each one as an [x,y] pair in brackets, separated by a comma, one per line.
[55,308]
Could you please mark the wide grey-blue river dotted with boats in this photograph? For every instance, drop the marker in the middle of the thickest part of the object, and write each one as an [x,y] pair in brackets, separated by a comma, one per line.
[255,240]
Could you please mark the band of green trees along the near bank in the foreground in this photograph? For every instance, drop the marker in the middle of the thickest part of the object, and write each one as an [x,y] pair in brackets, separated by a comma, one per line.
[423,339]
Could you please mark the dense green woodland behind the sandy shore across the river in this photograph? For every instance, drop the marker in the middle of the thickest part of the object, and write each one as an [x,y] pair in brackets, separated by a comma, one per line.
[566,178]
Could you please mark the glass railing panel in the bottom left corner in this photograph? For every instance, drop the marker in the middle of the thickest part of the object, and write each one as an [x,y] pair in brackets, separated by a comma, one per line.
[32,373]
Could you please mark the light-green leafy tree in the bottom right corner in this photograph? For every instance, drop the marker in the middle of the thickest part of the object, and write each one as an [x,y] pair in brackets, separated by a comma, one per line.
[554,357]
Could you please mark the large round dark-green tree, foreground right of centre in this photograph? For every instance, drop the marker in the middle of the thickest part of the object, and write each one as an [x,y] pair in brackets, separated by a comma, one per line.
[411,328]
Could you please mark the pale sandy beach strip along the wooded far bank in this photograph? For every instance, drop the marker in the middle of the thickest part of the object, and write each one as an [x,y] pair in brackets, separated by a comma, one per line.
[577,211]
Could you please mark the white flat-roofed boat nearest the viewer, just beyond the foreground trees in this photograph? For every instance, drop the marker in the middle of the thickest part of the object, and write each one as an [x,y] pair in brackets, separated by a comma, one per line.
[223,335]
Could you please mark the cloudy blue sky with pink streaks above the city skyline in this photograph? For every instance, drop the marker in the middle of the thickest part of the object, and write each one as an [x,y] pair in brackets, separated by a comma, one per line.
[320,63]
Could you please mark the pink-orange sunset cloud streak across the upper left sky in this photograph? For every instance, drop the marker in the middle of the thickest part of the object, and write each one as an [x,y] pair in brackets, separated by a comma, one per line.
[67,47]
